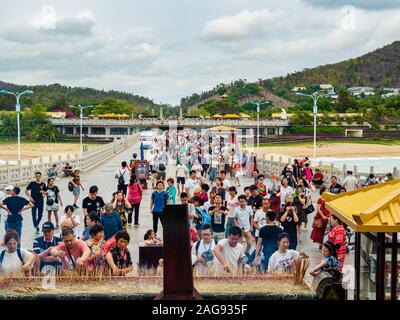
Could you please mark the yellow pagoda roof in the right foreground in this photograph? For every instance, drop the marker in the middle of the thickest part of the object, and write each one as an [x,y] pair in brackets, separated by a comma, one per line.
[372,209]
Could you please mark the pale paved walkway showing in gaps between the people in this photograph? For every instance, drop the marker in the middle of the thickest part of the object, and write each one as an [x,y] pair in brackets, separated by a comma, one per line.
[103,177]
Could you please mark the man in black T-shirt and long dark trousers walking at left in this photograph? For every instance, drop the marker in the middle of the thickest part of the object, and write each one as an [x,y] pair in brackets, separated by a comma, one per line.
[35,192]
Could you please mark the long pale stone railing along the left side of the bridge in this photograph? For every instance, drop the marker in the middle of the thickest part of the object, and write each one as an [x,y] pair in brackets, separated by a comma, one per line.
[23,172]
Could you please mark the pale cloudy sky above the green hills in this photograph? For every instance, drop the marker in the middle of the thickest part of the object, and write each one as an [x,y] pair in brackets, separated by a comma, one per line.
[168,49]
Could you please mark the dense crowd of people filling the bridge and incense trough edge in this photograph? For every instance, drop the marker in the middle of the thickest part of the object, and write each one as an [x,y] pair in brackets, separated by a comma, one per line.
[258,229]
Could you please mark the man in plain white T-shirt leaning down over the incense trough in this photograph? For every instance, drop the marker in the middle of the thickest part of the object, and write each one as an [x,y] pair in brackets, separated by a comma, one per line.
[230,252]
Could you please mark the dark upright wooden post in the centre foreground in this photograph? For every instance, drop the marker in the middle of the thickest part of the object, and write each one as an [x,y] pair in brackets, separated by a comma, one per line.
[178,273]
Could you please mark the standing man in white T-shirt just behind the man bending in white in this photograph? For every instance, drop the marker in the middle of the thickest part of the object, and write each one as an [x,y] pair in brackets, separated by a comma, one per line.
[243,218]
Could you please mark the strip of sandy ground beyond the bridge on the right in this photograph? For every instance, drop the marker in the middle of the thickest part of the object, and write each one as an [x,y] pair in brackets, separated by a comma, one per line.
[338,150]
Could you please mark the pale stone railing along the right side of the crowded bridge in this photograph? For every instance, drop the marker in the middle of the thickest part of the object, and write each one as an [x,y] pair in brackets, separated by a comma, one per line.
[273,166]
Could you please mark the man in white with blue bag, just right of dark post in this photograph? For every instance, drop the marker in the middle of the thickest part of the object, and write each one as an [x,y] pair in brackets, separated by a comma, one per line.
[203,258]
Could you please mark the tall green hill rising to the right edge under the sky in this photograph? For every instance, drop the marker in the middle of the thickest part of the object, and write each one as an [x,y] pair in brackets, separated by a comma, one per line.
[378,69]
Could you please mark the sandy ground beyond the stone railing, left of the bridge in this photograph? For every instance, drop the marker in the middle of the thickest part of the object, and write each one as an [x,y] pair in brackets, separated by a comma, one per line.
[8,151]
